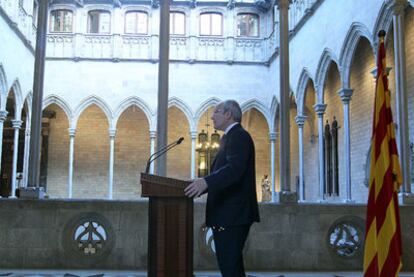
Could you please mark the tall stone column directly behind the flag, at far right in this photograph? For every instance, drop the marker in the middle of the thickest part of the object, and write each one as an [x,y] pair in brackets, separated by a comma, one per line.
[398,8]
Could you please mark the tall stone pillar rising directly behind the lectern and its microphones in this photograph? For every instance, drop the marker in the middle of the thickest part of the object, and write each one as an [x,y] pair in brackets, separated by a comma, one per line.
[163,73]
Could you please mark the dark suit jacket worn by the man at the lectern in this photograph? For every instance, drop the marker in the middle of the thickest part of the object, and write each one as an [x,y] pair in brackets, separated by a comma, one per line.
[232,199]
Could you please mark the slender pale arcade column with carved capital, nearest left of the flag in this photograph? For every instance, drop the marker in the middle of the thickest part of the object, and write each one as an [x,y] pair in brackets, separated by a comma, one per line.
[346,95]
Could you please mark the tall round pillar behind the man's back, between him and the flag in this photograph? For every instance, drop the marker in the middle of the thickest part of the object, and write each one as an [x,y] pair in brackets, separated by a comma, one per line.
[284,140]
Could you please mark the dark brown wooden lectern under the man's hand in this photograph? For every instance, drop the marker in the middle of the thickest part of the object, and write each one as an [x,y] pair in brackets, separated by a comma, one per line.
[170,227]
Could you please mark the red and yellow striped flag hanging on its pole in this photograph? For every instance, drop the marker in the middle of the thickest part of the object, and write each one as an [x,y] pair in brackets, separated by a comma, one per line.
[382,255]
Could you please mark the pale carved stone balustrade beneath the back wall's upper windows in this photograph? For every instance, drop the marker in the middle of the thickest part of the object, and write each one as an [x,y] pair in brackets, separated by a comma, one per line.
[145,47]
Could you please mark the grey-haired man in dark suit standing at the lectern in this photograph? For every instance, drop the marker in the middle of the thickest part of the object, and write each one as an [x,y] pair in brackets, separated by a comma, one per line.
[231,202]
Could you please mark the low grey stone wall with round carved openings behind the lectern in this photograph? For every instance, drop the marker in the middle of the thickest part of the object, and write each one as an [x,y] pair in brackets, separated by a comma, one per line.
[40,234]
